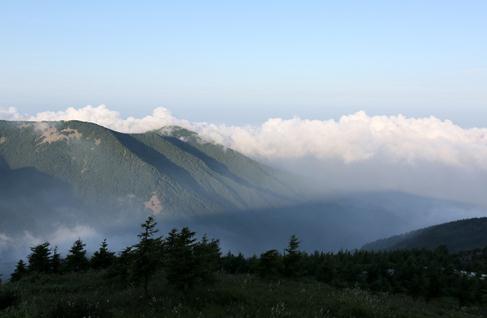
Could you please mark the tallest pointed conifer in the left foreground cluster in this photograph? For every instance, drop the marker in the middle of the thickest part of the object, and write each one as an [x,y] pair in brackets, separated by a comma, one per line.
[146,253]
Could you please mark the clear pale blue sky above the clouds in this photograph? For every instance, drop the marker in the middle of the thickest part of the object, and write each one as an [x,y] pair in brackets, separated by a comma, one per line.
[243,62]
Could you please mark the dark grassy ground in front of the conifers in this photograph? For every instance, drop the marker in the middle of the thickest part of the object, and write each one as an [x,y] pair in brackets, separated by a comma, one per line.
[92,295]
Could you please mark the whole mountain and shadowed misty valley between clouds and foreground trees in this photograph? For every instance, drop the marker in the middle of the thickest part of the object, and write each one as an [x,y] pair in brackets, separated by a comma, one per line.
[69,179]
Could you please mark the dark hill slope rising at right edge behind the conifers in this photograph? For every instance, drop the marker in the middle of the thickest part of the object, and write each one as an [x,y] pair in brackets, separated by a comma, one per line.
[459,235]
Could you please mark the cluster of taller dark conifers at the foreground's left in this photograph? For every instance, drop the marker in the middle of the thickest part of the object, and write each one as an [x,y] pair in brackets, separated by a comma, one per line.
[185,260]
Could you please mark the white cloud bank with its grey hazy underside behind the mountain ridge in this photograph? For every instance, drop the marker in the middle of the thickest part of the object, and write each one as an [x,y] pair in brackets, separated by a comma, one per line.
[426,156]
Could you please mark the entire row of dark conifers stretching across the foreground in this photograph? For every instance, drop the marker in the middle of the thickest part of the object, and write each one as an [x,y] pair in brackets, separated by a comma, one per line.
[187,261]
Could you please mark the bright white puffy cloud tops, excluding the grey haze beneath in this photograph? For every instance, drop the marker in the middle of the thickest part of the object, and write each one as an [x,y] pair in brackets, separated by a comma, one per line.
[353,138]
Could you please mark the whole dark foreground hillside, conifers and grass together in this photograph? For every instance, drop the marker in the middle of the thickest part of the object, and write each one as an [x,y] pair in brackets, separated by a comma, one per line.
[183,275]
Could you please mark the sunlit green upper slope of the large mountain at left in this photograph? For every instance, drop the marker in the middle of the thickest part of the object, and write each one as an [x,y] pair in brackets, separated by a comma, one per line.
[170,171]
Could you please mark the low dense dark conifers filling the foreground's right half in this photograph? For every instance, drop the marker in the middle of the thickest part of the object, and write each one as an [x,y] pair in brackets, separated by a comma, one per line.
[425,274]
